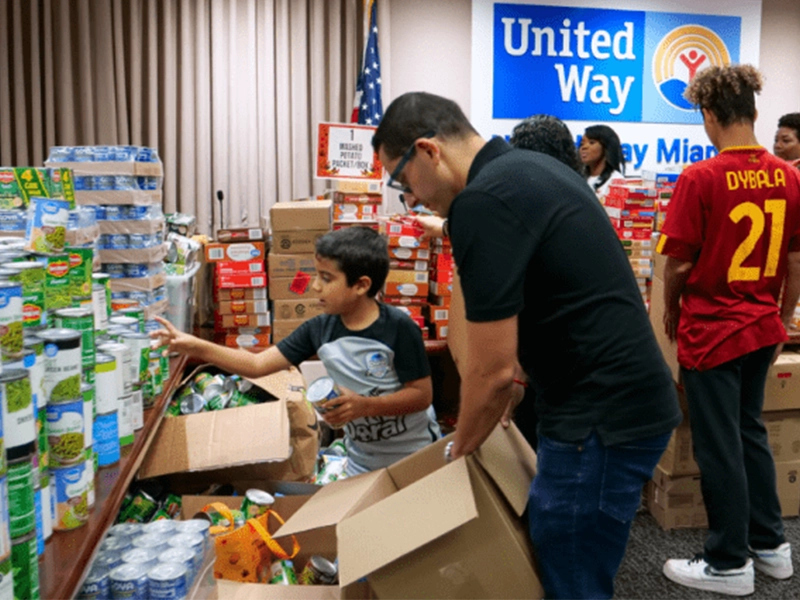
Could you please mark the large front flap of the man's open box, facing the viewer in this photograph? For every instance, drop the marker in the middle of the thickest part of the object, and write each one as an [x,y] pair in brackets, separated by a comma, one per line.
[378,535]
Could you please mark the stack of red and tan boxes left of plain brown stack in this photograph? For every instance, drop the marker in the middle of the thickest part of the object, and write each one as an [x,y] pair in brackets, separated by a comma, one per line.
[241,314]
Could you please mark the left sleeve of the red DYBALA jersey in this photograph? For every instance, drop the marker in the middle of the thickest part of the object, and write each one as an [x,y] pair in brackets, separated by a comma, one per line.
[683,231]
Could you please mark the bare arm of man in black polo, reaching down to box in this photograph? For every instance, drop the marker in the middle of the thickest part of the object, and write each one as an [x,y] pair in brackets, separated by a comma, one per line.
[487,383]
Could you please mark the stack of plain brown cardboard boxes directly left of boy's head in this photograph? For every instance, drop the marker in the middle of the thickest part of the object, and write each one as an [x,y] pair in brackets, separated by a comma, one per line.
[296,227]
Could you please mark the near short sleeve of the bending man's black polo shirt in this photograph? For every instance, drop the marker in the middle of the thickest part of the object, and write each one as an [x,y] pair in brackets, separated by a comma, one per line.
[491,249]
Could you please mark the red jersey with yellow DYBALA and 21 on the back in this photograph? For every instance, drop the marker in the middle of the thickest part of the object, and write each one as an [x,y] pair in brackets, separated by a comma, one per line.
[735,216]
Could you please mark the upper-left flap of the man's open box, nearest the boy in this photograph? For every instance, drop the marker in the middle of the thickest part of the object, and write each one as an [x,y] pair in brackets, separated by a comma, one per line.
[337,500]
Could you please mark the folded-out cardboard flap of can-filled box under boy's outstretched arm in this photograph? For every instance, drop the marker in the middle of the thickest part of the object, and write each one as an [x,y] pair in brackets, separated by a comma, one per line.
[235,436]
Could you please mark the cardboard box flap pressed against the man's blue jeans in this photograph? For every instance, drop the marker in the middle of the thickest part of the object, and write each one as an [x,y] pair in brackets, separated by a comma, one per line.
[510,461]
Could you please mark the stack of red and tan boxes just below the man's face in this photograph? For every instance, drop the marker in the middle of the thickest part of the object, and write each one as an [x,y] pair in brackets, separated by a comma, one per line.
[407,284]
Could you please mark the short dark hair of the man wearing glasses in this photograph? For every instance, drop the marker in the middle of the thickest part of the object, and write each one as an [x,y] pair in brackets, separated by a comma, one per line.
[414,114]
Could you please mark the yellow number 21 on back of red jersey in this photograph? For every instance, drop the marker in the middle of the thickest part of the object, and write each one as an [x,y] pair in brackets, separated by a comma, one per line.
[777,208]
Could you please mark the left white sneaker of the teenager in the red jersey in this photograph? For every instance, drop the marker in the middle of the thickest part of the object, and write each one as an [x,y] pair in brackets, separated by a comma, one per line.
[697,573]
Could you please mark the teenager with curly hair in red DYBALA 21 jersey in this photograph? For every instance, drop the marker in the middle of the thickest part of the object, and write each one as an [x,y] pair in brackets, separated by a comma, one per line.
[732,238]
